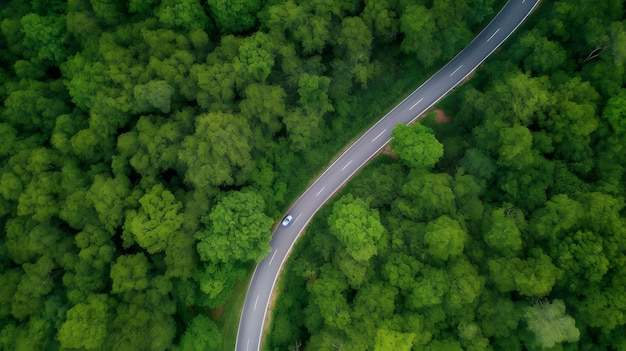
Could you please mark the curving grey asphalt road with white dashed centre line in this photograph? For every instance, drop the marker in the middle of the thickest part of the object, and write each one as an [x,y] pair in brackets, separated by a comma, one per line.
[350,161]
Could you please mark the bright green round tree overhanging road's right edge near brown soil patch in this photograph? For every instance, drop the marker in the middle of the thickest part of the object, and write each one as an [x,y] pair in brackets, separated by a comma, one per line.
[416,145]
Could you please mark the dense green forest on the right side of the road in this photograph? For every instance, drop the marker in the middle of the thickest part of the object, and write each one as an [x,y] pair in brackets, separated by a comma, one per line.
[515,240]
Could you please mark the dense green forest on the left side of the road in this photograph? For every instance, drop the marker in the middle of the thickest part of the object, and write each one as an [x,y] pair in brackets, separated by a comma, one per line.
[146,146]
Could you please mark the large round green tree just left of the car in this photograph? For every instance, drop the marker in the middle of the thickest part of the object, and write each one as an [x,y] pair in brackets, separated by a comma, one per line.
[237,229]
